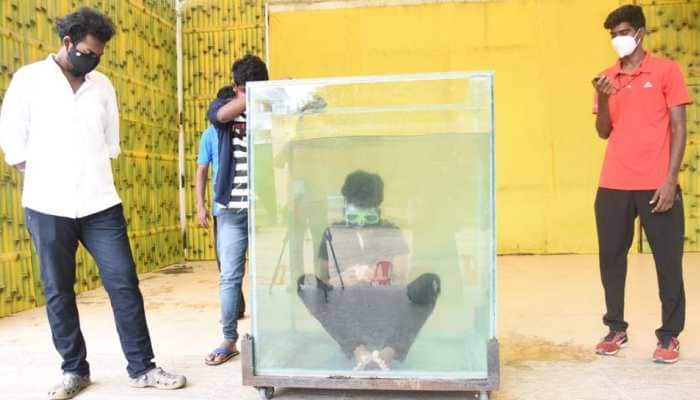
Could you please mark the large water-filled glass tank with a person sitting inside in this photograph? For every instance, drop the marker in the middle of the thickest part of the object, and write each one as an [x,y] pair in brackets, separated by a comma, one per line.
[372,226]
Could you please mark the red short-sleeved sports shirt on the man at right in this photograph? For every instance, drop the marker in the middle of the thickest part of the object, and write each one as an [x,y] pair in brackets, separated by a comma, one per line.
[639,147]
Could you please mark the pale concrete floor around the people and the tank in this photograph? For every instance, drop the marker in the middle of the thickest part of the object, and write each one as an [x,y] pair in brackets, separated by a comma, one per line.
[549,320]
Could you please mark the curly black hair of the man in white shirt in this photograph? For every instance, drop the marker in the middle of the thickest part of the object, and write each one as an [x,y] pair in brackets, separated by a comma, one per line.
[84,22]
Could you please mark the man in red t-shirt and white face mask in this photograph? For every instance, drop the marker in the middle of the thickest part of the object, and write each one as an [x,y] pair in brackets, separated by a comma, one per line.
[640,106]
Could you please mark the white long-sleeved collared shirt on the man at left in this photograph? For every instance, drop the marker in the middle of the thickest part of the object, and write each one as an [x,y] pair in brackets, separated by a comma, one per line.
[65,138]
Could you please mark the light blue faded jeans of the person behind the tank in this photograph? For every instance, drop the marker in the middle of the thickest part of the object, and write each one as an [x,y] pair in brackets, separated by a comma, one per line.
[232,244]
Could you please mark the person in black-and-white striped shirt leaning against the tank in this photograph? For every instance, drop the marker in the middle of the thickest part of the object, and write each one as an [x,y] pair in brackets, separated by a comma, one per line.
[231,194]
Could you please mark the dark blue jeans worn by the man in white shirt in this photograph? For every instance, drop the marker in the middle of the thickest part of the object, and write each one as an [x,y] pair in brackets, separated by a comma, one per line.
[104,236]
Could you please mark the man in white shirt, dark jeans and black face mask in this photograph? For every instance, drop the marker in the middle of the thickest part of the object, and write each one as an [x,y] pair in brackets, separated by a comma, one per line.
[59,124]
